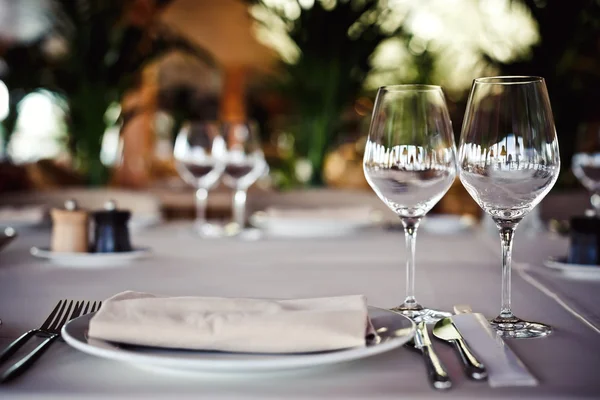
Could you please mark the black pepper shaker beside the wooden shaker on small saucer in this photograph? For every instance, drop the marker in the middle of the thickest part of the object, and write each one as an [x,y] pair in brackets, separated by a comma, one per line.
[111,231]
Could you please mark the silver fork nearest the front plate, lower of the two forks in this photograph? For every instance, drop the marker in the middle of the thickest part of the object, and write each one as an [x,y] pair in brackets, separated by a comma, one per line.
[53,329]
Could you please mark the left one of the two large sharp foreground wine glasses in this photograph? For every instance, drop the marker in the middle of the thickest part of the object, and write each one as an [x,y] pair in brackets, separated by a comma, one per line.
[410,162]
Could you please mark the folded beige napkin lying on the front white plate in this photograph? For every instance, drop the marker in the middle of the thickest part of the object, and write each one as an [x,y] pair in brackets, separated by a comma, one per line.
[237,325]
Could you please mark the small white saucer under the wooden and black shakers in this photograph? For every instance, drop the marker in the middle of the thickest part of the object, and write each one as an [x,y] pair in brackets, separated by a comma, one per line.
[87,260]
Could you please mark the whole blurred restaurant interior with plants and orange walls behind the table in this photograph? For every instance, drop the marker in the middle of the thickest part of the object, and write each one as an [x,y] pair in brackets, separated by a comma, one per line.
[94,92]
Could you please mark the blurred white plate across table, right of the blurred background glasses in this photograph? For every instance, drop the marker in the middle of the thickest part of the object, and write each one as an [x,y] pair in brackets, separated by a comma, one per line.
[309,227]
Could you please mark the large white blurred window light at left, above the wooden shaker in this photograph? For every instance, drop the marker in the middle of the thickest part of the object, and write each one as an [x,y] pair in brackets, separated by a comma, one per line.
[40,131]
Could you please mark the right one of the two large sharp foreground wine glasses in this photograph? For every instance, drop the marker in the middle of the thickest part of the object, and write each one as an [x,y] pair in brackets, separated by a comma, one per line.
[508,162]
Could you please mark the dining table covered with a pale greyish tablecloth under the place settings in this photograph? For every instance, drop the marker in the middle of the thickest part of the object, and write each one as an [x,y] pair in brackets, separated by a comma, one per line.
[451,269]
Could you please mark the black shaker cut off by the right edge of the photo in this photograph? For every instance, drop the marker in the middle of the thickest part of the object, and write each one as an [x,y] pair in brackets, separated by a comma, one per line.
[585,241]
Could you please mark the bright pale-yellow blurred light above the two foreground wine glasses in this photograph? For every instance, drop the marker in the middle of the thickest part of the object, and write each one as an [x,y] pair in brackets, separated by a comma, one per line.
[459,34]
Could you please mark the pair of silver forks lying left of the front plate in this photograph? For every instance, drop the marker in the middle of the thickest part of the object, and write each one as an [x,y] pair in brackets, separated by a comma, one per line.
[64,311]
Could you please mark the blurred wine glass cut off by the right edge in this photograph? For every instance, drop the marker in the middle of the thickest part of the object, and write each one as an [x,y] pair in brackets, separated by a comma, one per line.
[586,162]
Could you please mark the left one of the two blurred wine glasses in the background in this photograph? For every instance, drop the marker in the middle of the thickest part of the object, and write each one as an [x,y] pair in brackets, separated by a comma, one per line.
[200,160]
